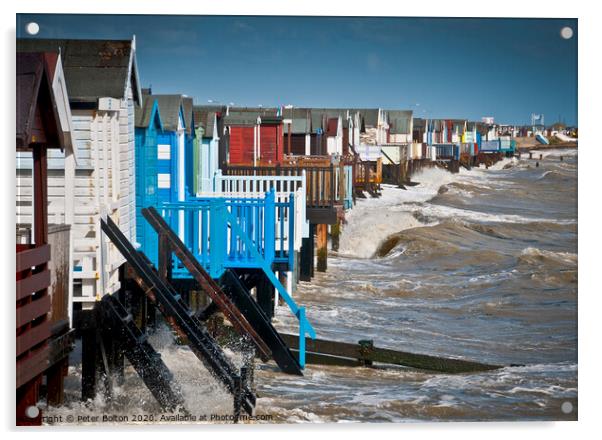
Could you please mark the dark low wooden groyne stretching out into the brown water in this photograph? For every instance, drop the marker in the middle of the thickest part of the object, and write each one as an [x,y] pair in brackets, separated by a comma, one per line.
[363,353]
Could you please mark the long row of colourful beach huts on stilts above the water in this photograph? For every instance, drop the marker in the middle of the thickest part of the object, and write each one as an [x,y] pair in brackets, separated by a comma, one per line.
[131,201]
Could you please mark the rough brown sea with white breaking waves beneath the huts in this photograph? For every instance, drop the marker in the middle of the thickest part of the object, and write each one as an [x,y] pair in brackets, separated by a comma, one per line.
[479,265]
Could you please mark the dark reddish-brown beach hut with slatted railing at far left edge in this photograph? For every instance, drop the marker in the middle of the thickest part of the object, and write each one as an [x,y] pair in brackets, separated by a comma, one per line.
[43,123]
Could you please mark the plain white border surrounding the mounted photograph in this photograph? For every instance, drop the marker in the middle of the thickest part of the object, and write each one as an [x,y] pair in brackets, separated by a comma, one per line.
[590,100]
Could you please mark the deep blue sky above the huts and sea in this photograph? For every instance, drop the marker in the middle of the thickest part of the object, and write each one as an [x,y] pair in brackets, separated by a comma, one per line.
[456,68]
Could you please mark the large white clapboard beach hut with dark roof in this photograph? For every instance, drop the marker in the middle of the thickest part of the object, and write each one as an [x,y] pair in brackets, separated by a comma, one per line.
[102,79]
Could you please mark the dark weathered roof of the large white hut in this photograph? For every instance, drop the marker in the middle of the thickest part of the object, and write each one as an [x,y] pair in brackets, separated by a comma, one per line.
[93,68]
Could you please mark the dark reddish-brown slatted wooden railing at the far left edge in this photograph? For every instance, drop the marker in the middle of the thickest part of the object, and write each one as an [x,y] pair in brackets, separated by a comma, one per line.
[33,305]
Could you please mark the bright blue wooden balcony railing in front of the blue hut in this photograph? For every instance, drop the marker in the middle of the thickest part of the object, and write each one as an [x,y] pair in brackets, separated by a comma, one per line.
[200,223]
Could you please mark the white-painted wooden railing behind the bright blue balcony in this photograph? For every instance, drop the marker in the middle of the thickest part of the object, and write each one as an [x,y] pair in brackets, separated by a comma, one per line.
[257,187]
